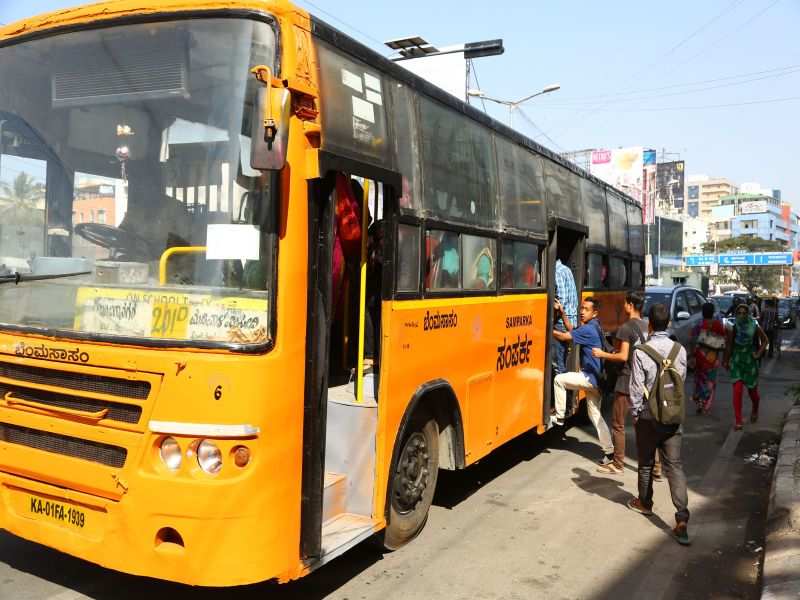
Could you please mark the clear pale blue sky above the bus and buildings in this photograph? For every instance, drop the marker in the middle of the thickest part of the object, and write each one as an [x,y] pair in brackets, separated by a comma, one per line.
[715,83]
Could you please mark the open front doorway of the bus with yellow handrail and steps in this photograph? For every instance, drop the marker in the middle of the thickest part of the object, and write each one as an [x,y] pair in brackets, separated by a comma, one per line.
[346,286]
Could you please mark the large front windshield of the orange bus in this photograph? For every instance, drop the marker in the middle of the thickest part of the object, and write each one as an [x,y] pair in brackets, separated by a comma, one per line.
[125,156]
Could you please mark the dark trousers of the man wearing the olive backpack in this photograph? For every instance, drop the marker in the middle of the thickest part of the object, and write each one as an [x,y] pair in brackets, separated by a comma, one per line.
[652,436]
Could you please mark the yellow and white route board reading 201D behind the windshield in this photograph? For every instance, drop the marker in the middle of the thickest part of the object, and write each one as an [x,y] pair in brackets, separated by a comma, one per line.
[171,315]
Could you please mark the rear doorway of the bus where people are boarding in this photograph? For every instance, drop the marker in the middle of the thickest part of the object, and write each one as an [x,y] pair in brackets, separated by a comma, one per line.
[567,241]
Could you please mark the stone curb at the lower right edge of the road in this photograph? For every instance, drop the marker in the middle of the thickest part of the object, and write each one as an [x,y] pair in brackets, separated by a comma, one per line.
[782,556]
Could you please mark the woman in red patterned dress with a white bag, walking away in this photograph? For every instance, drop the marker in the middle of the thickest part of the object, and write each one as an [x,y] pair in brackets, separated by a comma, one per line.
[710,343]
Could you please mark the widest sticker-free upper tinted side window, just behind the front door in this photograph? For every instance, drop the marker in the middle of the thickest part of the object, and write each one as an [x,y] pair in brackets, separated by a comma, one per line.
[457,167]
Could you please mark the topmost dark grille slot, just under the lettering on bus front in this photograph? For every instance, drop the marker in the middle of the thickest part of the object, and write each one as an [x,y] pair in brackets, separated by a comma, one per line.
[100,384]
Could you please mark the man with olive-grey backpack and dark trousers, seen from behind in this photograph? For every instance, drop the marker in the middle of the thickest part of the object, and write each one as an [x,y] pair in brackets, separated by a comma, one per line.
[658,399]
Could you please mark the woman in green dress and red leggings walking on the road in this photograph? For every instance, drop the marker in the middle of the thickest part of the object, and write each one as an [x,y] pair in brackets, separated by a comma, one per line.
[746,345]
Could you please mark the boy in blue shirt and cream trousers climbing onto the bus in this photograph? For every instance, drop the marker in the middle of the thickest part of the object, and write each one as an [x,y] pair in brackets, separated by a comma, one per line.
[588,337]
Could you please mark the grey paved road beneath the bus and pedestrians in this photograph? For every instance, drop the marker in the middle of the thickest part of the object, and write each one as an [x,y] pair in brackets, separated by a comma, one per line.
[533,520]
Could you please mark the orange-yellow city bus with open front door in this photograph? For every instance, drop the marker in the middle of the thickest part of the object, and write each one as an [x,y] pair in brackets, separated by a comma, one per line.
[208,374]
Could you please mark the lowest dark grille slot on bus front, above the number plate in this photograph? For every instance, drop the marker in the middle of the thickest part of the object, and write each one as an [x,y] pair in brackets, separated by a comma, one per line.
[105,454]
